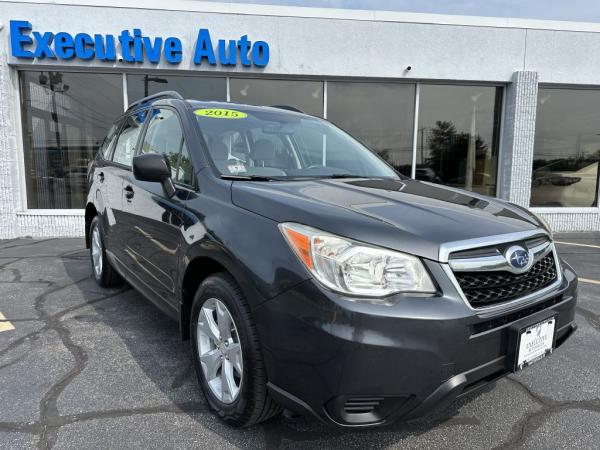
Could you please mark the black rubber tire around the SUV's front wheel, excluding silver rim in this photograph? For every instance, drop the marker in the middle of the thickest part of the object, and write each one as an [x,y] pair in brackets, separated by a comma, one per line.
[220,287]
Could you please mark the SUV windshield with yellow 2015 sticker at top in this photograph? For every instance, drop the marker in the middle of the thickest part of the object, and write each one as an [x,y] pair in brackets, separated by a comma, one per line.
[253,142]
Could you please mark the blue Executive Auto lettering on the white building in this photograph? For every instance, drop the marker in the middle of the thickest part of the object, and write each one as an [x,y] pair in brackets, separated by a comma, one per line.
[132,47]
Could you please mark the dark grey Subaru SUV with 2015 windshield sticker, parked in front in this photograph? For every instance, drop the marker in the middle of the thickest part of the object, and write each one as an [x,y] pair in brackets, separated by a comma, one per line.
[308,274]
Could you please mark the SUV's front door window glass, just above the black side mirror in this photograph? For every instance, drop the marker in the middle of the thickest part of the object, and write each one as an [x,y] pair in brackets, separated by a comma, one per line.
[165,136]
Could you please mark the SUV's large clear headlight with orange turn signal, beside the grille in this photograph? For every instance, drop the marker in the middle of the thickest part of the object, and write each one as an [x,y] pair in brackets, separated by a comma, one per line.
[354,268]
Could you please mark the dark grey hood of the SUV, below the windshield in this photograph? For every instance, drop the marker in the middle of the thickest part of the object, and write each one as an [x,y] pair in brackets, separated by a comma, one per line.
[405,215]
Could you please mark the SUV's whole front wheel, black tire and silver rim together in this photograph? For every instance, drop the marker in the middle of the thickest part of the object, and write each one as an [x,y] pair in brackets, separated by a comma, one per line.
[226,354]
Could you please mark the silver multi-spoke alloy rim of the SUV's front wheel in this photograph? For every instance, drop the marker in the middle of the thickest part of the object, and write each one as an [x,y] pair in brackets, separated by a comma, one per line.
[220,350]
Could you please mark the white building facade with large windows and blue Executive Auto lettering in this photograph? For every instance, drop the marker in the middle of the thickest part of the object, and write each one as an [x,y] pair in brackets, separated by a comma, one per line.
[504,107]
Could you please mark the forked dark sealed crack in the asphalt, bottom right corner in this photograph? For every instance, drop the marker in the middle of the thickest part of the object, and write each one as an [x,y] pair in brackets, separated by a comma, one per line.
[531,422]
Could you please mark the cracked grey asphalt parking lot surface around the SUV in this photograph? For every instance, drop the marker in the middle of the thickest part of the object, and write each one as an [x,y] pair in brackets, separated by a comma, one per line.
[85,367]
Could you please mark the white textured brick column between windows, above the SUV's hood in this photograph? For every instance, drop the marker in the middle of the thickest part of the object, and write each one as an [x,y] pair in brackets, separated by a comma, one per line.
[516,157]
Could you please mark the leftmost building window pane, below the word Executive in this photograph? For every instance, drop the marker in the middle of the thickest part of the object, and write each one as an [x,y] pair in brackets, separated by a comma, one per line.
[66,117]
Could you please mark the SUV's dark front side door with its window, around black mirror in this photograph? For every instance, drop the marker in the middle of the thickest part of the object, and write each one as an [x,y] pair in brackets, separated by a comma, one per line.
[155,239]
